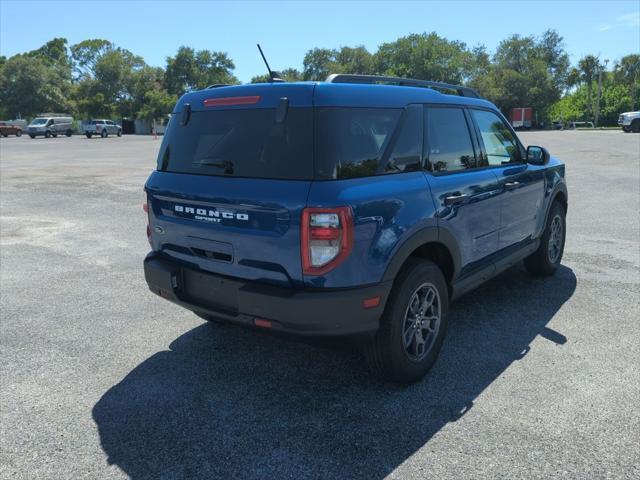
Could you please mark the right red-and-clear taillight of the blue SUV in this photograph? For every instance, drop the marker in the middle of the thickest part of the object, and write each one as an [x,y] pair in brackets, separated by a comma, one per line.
[326,238]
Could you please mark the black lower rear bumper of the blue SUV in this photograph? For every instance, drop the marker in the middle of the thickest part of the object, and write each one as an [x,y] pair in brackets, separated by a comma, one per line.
[304,312]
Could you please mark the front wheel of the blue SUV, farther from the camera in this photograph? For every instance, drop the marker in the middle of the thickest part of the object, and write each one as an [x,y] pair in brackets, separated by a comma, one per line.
[545,260]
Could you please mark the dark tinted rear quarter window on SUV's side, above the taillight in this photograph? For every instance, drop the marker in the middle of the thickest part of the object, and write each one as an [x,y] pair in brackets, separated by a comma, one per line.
[351,141]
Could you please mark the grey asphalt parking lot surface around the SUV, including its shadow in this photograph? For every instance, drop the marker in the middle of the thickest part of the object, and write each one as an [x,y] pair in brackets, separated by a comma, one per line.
[538,378]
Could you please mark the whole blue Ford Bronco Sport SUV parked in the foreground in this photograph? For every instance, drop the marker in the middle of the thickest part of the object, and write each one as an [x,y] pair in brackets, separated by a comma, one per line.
[361,205]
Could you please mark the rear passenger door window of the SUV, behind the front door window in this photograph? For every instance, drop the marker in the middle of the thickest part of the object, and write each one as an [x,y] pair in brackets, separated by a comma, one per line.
[448,141]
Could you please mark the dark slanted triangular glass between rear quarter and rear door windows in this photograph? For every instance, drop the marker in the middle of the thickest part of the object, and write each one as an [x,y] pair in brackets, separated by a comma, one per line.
[406,153]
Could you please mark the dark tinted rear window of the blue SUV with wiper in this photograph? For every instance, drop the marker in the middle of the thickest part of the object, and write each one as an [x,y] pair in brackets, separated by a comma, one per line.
[242,143]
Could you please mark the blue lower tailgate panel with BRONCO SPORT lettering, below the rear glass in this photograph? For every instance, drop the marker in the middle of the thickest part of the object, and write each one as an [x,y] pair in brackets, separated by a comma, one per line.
[240,227]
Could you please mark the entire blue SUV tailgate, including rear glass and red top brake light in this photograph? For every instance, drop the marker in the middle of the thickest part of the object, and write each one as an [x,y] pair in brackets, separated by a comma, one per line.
[234,172]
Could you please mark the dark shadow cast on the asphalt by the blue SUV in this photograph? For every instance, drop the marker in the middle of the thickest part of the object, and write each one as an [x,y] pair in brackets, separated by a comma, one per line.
[227,402]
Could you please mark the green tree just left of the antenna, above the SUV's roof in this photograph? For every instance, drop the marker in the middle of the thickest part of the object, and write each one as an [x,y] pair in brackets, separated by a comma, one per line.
[190,70]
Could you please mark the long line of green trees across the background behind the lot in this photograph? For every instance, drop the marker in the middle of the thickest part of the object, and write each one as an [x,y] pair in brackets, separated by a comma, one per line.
[95,78]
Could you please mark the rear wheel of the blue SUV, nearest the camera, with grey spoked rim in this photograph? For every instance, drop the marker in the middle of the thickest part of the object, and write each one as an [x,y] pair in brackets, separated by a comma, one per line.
[388,352]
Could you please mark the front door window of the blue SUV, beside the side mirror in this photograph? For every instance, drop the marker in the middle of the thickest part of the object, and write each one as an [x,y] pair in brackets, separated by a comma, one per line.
[499,143]
